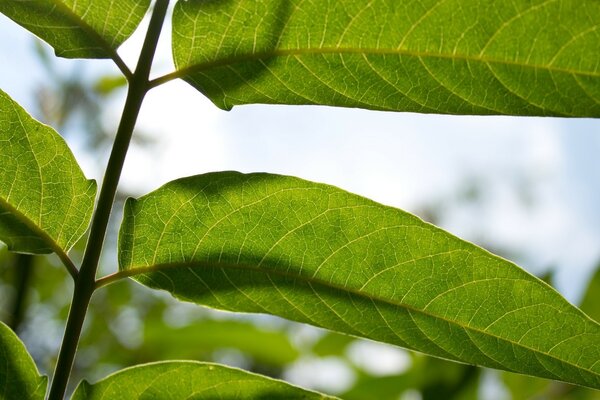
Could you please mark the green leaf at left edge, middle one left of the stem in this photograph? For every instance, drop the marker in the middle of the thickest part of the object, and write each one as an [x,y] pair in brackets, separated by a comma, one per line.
[45,200]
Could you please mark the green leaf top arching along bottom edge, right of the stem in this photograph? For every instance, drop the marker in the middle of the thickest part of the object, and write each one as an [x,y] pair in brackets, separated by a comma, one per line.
[187,379]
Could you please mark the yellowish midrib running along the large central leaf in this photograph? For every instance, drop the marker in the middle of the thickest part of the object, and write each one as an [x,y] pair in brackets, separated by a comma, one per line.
[134,271]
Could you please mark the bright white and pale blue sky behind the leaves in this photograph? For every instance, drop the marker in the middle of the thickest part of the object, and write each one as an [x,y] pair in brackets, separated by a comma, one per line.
[537,180]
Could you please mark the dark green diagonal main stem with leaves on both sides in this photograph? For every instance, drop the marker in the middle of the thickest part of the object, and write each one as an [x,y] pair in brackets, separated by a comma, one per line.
[85,283]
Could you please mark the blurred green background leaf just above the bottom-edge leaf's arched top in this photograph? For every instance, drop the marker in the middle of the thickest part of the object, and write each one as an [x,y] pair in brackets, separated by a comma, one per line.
[201,337]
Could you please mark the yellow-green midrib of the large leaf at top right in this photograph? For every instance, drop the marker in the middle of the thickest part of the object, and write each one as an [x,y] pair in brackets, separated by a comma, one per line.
[204,66]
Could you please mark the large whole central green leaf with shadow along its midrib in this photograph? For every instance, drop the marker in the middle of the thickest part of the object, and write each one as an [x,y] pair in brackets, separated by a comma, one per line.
[316,254]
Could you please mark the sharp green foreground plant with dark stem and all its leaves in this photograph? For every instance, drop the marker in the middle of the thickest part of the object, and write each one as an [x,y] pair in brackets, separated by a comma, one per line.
[281,245]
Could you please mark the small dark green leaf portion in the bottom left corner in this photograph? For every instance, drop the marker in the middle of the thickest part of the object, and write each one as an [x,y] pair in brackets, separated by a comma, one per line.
[19,377]
